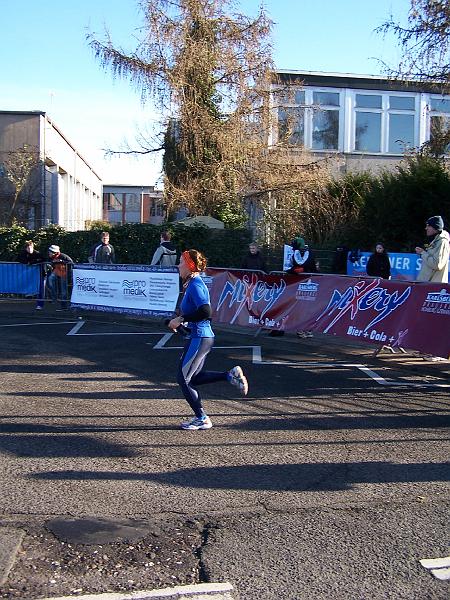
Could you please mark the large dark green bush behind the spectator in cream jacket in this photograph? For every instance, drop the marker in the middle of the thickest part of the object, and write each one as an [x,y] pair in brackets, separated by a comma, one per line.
[392,207]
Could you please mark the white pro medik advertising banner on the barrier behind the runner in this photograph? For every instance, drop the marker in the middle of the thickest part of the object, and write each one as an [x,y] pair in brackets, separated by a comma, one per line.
[132,289]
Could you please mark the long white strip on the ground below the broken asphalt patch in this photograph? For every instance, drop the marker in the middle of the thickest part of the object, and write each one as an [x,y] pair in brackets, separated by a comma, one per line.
[219,591]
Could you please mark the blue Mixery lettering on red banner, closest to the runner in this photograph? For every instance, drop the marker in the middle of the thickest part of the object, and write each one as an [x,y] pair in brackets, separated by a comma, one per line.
[249,291]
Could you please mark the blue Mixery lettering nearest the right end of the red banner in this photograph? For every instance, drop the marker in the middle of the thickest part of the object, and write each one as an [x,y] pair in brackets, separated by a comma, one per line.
[364,295]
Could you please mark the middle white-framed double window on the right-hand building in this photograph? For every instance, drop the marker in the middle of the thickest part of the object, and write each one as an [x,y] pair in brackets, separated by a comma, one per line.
[384,123]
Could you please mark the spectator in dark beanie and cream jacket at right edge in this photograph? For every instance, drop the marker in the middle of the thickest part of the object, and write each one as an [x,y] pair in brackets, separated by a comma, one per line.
[435,255]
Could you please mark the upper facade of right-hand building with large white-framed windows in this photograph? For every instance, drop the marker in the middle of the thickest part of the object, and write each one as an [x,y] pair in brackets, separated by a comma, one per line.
[368,120]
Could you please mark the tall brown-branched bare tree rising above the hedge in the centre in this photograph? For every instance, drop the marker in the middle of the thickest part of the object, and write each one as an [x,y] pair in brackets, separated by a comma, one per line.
[211,73]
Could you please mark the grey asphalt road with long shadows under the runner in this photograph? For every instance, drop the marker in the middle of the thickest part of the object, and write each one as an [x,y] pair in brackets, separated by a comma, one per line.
[325,482]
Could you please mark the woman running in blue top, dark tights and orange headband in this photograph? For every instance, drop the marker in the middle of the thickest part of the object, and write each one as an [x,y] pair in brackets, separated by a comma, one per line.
[195,309]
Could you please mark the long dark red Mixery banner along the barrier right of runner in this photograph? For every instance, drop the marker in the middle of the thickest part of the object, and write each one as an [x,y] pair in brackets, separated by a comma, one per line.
[395,313]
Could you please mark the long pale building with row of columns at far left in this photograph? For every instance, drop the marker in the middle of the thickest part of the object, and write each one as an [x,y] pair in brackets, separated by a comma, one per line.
[66,190]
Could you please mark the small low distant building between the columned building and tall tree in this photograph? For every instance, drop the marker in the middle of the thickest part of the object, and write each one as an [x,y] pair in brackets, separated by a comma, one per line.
[133,204]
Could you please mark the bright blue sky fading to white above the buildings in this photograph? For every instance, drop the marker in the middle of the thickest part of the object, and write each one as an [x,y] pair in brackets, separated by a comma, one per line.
[47,64]
